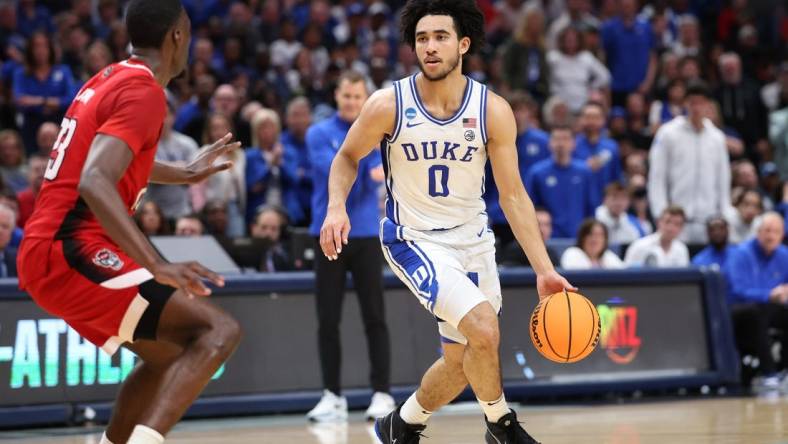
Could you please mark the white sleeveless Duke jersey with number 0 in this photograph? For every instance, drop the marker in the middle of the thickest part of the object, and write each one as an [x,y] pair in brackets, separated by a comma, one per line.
[435,167]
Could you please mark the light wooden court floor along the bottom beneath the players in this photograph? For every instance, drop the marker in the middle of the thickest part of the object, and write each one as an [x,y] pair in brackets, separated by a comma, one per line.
[701,421]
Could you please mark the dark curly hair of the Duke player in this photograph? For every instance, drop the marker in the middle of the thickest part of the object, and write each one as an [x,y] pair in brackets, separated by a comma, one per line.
[468,19]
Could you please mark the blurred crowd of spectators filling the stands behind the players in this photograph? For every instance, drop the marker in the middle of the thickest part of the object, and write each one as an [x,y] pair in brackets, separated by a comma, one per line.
[649,132]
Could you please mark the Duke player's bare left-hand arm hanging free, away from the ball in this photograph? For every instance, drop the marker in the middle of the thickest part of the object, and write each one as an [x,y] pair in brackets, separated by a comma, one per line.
[375,121]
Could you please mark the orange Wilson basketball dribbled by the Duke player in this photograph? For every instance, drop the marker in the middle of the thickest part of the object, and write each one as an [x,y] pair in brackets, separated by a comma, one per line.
[565,327]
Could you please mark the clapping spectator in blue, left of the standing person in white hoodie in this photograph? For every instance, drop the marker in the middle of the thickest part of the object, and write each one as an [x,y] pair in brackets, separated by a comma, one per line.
[600,153]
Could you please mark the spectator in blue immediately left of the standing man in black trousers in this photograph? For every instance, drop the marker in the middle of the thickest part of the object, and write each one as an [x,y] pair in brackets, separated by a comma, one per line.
[299,117]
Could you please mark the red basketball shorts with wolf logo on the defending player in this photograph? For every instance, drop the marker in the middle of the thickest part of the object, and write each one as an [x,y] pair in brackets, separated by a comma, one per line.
[96,288]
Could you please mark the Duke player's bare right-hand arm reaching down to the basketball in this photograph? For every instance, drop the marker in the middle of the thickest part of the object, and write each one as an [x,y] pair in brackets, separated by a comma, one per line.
[514,200]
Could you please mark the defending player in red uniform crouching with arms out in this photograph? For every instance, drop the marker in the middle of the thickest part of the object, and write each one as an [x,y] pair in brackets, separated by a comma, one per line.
[84,260]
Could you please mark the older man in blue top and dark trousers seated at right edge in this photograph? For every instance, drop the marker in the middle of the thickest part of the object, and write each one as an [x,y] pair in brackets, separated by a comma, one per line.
[757,274]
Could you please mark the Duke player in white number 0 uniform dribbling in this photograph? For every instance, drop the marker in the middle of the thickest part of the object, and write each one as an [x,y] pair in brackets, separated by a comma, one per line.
[436,131]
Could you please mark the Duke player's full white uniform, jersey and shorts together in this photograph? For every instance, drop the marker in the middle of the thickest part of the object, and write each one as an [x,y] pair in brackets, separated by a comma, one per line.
[435,234]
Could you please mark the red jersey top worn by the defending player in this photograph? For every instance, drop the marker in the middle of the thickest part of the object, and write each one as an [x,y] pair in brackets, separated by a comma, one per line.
[123,100]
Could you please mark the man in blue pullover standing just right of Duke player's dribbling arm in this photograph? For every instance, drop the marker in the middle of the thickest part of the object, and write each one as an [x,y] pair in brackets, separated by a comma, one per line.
[562,185]
